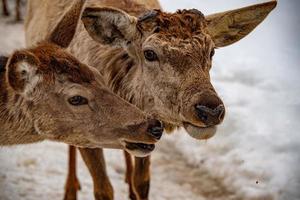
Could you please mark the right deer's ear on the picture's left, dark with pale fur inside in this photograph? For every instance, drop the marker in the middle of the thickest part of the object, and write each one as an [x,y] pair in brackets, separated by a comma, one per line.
[109,25]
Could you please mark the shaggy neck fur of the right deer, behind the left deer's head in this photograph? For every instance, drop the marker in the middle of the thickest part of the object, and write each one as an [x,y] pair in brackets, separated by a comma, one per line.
[121,72]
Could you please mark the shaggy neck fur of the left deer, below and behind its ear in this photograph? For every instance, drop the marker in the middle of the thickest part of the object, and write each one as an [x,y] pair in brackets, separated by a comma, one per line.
[15,126]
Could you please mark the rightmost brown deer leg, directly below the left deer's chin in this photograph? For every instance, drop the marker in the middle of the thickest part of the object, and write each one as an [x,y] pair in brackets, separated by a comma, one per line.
[141,177]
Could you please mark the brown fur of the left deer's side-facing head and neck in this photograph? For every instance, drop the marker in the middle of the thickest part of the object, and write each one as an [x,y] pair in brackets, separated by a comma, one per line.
[56,70]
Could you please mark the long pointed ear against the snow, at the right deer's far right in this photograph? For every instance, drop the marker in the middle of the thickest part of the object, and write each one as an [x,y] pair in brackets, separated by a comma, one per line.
[229,27]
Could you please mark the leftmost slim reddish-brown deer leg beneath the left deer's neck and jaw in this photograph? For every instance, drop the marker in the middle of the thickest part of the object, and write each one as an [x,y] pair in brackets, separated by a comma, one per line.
[72,184]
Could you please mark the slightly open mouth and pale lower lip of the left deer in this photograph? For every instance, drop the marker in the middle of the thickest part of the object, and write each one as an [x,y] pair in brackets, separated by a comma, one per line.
[139,149]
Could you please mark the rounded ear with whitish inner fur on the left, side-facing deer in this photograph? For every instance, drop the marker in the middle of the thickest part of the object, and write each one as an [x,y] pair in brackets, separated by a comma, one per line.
[22,72]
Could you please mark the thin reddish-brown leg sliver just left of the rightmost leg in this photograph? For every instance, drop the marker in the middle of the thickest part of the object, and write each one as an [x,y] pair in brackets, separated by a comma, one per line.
[129,176]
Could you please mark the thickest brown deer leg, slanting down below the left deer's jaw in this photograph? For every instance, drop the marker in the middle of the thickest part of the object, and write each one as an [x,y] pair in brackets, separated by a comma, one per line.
[94,159]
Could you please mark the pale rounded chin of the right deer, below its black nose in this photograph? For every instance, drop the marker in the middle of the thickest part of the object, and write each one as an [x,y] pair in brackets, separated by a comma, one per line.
[200,133]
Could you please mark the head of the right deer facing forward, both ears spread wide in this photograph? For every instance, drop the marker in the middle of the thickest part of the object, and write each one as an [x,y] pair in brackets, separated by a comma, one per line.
[174,52]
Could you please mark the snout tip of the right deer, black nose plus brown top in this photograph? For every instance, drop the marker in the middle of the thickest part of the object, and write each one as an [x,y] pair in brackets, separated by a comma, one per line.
[210,111]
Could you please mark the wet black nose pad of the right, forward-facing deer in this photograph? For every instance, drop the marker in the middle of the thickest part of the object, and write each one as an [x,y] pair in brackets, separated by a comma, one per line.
[210,115]
